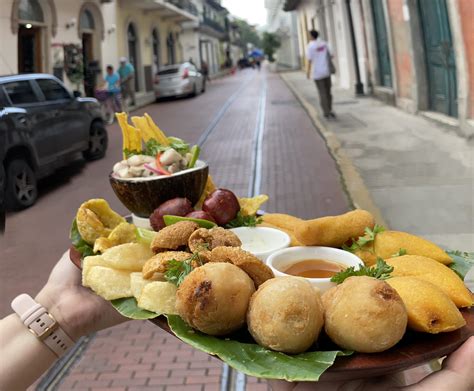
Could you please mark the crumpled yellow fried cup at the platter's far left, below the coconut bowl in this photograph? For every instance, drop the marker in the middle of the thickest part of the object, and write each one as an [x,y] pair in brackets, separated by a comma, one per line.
[96,219]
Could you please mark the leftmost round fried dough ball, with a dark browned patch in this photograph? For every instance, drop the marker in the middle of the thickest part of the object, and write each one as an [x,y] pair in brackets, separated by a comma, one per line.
[214,298]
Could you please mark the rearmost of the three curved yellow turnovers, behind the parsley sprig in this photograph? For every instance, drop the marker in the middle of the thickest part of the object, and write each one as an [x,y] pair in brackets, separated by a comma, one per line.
[388,243]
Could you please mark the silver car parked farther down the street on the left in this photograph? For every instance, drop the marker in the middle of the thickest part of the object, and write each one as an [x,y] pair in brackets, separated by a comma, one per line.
[178,80]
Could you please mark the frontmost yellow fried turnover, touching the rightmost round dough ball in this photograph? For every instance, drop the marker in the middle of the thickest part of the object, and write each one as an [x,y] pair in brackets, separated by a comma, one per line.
[429,309]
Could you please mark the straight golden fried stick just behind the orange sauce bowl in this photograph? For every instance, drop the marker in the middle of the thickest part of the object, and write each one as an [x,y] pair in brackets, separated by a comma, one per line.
[333,231]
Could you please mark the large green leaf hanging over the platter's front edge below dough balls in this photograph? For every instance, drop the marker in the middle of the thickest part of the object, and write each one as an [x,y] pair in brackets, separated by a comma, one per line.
[254,360]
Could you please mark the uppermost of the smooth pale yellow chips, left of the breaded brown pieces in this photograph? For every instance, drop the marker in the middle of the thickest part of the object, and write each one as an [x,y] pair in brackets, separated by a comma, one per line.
[128,256]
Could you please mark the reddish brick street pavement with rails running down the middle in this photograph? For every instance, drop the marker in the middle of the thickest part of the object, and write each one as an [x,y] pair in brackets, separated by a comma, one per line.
[257,138]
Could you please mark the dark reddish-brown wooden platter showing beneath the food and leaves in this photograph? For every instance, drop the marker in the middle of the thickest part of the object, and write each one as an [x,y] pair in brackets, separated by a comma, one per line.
[413,350]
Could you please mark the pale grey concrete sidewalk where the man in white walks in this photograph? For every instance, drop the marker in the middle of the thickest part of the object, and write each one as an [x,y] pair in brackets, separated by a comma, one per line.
[415,173]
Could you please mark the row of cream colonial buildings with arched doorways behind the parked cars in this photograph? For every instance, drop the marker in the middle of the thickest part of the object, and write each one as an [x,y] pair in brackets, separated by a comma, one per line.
[76,39]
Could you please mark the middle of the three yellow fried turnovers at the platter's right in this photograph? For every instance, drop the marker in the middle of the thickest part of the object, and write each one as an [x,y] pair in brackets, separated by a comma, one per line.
[435,272]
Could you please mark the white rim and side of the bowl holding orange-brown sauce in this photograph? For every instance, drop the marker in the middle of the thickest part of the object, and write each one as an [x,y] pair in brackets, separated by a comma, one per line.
[283,259]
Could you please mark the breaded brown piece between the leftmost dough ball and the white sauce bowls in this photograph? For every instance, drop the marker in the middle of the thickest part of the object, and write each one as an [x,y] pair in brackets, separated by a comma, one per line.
[249,263]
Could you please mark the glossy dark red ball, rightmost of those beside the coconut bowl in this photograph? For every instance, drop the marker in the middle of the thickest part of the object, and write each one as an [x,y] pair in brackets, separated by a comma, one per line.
[222,205]
